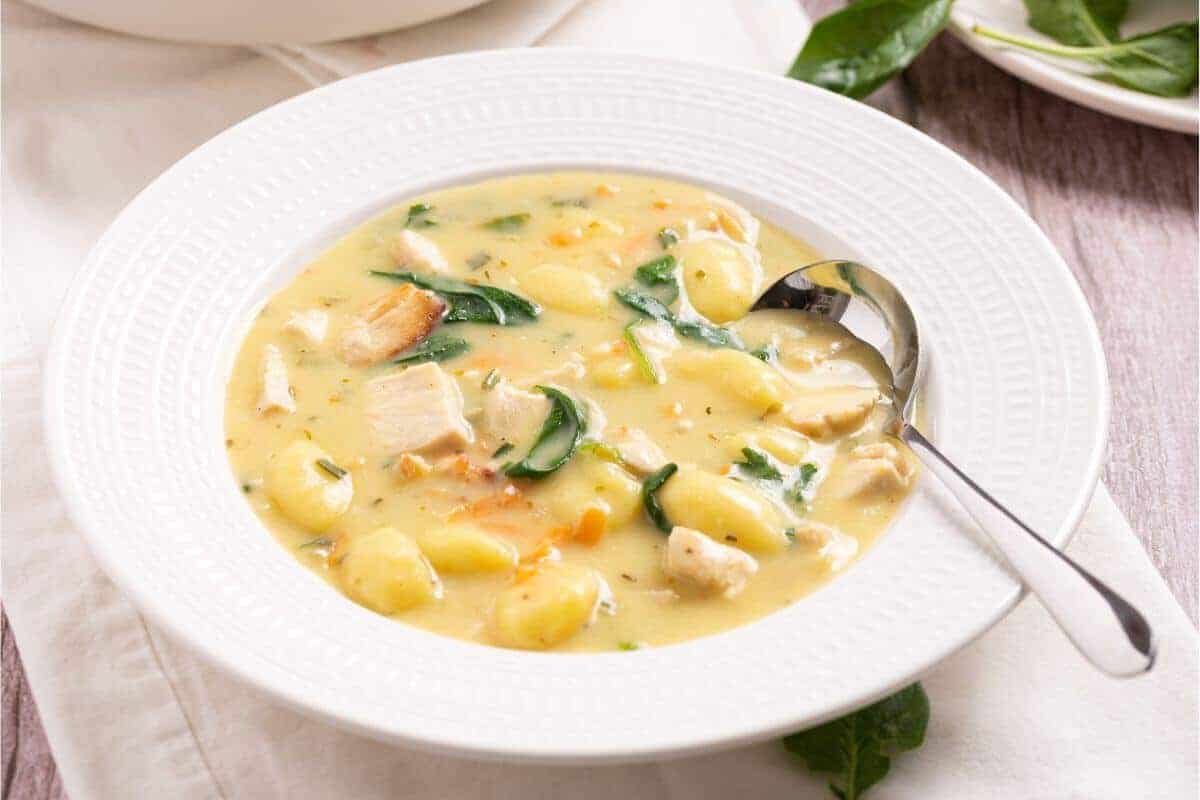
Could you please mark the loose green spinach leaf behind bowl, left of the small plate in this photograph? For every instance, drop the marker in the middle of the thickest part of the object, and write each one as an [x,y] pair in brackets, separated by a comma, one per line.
[856,51]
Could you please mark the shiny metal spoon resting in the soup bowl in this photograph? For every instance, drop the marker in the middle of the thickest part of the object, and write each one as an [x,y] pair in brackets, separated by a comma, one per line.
[1111,633]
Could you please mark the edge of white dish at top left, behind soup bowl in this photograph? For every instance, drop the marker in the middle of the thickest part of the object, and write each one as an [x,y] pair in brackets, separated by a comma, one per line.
[254,22]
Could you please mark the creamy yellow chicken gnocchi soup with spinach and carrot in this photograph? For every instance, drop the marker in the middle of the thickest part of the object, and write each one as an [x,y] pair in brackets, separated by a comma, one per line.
[536,413]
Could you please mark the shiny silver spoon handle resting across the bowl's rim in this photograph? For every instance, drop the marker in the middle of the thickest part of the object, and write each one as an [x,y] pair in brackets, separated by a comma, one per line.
[1111,633]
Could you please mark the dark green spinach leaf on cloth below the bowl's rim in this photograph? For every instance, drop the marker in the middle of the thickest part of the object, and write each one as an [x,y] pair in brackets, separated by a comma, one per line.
[857,749]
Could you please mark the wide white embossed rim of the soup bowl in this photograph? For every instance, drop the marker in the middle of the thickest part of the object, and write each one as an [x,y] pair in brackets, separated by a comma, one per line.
[135,393]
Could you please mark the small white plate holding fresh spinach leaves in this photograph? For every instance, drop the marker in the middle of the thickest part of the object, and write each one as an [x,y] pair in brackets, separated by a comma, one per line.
[1069,79]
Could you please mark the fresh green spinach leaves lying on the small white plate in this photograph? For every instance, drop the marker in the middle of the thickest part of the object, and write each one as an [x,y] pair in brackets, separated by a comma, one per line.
[1160,63]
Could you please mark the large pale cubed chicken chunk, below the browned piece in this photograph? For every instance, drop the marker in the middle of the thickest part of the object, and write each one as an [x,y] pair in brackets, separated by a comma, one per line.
[418,410]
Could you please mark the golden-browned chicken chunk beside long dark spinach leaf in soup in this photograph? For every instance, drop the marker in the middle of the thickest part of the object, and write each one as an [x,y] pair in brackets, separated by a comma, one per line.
[389,324]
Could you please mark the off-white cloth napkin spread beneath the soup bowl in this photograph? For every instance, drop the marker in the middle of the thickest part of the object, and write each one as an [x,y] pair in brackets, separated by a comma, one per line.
[91,119]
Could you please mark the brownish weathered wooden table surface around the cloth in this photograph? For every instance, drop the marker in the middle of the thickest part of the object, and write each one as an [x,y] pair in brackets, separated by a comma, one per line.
[1118,200]
